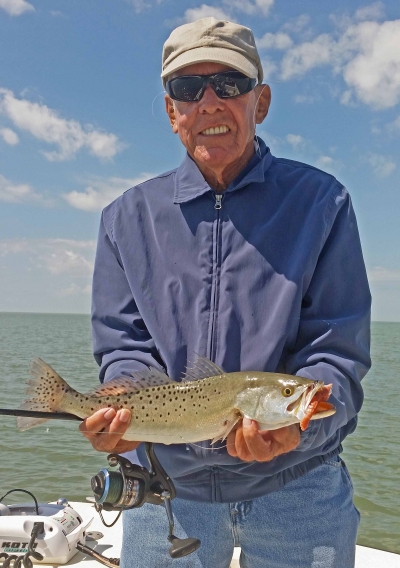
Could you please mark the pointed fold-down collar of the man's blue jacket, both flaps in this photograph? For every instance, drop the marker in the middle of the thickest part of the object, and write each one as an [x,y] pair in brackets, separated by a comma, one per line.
[190,183]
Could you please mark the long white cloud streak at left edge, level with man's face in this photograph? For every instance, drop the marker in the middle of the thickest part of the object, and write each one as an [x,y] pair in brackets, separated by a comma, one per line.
[47,125]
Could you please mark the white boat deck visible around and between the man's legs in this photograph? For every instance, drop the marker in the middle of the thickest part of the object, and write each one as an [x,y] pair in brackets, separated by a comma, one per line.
[110,544]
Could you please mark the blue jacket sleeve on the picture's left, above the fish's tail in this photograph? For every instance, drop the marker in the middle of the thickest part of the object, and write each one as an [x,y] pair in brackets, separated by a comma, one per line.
[121,341]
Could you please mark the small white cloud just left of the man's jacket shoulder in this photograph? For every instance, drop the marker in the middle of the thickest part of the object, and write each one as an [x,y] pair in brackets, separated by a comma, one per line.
[101,192]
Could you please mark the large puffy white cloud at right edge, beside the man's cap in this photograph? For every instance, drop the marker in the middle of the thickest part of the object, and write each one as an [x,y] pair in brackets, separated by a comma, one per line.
[367,55]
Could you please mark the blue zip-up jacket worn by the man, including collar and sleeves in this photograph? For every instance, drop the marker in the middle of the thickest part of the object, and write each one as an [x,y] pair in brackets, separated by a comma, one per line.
[270,277]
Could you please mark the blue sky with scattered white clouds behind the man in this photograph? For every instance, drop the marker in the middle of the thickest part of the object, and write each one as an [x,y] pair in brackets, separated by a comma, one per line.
[82,120]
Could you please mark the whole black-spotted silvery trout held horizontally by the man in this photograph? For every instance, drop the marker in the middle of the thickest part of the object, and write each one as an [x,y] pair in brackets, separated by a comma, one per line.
[205,405]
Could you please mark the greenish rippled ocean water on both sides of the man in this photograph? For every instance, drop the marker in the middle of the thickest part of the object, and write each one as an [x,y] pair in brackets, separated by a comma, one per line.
[54,460]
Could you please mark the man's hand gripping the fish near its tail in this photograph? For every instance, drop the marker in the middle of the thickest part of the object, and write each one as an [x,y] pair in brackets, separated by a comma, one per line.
[104,430]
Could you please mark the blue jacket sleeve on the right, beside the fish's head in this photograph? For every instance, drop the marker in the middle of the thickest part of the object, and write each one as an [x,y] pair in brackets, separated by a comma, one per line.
[333,337]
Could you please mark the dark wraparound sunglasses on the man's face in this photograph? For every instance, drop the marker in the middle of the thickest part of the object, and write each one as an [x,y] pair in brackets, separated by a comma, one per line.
[226,85]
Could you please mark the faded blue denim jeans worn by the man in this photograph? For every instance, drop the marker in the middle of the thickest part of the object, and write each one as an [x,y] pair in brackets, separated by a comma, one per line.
[310,523]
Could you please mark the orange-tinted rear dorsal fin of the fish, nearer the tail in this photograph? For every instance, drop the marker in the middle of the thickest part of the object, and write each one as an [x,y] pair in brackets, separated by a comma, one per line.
[140,380]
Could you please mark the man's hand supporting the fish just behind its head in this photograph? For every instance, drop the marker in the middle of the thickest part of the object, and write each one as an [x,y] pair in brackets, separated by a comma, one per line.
[248,443]
